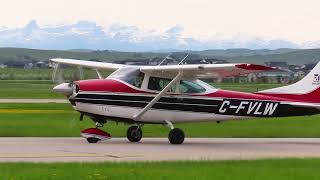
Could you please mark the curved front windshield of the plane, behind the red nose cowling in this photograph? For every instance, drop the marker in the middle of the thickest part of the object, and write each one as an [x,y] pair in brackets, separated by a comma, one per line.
[132,76]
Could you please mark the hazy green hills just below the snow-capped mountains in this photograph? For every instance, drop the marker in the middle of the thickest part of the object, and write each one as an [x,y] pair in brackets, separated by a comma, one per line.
[292,56]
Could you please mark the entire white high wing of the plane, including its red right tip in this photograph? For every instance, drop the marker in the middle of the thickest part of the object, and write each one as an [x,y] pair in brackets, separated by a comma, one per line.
[170,71]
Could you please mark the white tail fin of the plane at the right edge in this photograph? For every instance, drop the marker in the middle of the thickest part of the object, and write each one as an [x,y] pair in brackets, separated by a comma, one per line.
[308,84]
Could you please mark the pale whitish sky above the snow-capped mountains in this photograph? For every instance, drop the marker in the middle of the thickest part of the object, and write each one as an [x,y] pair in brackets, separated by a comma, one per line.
[294,20]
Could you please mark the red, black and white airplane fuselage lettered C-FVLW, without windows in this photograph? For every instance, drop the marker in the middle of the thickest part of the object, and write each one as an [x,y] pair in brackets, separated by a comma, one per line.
[114,98]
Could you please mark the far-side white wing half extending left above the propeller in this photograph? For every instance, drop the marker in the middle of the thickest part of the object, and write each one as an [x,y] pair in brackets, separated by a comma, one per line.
[89,64]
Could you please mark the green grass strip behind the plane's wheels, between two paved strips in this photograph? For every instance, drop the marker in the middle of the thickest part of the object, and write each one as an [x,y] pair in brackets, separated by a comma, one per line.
[52,120]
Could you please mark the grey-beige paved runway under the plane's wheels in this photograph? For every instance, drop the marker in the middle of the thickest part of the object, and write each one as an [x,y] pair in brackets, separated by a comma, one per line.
[153,149]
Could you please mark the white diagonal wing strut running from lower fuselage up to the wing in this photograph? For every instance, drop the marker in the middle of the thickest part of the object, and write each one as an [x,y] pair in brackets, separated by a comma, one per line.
[157,97]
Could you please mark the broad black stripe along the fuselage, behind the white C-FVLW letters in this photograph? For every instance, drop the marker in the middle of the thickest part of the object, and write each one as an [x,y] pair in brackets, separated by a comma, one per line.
[194,105]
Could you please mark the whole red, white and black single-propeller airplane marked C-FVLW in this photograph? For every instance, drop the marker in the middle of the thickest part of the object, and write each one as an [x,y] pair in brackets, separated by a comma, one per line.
[170,94]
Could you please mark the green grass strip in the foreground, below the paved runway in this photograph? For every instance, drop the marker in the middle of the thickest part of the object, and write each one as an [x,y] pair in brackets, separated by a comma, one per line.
[284,169]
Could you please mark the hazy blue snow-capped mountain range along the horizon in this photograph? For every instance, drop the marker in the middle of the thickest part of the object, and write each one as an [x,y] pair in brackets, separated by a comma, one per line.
[89,35]
